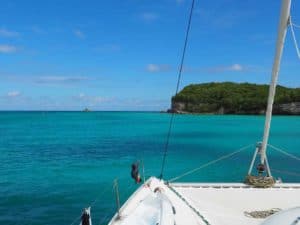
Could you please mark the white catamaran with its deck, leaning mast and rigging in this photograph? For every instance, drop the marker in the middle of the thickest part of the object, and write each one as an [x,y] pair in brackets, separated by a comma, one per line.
[260,200]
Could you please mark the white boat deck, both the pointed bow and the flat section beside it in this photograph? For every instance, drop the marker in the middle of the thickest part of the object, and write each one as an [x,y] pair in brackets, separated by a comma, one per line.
[214,204]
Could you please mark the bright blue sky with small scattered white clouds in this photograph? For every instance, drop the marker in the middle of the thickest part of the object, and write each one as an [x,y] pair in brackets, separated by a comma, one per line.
[124,55]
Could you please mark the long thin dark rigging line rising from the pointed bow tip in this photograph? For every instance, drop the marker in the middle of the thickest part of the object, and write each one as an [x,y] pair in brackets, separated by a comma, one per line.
[177,87]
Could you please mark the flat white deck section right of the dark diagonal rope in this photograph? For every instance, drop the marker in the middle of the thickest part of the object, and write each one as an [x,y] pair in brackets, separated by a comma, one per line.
[223,204]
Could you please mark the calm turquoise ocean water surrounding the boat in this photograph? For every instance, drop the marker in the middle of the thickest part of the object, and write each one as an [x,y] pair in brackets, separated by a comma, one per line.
[53,164]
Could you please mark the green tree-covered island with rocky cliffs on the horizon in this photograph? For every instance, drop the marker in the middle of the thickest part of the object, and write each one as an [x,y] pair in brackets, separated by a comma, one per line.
[234,98]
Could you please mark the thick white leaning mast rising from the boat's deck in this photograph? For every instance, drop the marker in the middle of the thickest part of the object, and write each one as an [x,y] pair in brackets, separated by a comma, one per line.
[283,24]
